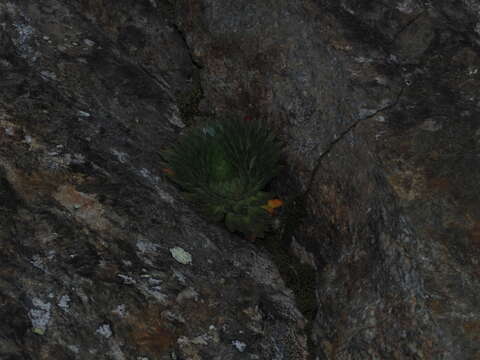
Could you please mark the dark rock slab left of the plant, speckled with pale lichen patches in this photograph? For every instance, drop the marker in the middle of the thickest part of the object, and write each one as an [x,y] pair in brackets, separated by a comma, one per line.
[88,98]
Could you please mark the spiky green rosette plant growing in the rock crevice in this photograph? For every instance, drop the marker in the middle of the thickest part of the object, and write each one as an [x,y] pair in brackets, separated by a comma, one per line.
[223,167]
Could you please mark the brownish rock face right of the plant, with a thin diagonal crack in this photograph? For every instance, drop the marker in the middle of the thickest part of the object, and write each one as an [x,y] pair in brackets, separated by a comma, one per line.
[378,106]
